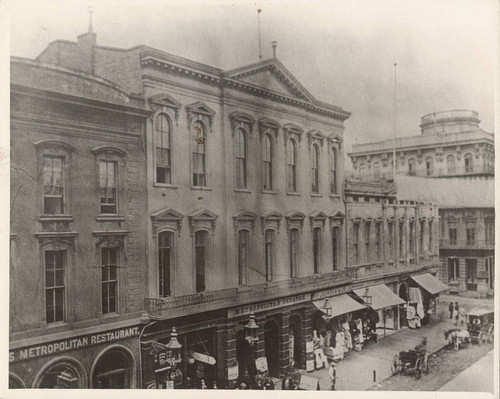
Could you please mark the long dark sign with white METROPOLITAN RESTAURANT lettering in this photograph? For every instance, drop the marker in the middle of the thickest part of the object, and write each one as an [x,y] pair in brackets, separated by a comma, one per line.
[84,341]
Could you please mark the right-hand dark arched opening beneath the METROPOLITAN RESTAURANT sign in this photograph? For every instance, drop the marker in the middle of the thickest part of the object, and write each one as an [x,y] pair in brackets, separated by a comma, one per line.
[113,370]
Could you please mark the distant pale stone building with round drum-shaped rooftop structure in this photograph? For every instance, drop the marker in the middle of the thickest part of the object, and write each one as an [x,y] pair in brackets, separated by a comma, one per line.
[451,164]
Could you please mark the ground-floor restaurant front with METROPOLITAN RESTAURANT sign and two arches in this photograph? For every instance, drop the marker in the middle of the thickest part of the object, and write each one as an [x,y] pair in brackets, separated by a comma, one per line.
[107,358]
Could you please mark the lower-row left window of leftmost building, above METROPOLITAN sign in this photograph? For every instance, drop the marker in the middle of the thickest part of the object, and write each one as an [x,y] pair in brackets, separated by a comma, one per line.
[54,286]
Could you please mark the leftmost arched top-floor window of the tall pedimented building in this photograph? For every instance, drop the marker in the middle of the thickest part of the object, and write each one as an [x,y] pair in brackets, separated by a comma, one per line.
[163,150]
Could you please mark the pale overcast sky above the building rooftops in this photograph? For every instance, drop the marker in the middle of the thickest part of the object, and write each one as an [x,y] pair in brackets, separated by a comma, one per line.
[342,51]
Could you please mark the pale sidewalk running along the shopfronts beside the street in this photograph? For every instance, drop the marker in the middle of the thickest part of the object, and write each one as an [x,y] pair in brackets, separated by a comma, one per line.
[356,371]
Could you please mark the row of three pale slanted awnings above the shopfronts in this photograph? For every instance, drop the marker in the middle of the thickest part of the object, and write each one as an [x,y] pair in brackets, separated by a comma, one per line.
[381,296]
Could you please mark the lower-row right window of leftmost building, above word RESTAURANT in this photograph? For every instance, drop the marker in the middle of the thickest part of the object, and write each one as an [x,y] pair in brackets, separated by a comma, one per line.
[109,281]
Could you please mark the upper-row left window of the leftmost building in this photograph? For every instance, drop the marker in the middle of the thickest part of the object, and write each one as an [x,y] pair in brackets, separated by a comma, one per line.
[53,185]
